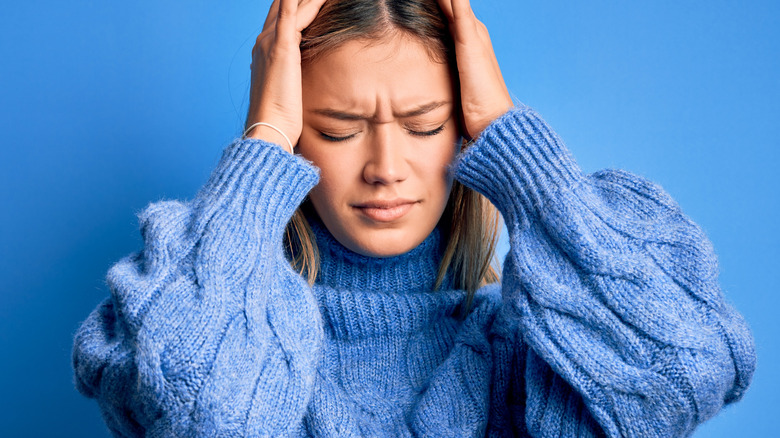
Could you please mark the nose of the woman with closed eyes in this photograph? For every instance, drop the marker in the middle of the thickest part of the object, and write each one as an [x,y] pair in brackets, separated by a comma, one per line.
[386,162]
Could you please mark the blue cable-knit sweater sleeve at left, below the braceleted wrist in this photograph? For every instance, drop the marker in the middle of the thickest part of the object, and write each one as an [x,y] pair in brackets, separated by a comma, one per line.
[208,331]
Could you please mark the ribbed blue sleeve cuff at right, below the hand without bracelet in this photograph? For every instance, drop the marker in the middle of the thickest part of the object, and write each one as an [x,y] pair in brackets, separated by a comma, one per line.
[518,163]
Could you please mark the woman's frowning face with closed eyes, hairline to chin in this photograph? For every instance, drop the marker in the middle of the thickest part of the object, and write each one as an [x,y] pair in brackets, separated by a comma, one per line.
[379,121]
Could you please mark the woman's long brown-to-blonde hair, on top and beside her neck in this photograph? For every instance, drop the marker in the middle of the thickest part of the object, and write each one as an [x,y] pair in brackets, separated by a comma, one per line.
[470,222]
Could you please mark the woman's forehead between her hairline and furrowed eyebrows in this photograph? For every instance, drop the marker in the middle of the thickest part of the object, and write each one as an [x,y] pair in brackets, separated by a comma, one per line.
[391,73]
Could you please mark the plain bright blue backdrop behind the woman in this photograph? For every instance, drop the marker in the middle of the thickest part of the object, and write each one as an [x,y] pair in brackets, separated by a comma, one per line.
[107,106]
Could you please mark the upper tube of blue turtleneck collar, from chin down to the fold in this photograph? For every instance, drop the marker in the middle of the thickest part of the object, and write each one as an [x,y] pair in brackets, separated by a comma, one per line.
[413,271]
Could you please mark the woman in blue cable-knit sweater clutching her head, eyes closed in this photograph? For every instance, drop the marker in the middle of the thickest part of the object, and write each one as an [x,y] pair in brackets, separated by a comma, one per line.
[345,289]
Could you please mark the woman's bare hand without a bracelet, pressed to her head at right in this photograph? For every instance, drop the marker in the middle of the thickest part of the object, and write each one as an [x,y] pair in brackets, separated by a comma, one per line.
[484,95]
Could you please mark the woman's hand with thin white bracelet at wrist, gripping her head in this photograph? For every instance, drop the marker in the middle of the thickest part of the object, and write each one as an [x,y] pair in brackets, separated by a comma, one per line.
[275,95]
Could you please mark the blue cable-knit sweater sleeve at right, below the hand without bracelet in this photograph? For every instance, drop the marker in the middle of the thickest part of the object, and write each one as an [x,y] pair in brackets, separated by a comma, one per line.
[616,291]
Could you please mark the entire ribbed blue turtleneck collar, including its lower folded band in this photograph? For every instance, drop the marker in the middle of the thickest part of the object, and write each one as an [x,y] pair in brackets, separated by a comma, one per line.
[364,296]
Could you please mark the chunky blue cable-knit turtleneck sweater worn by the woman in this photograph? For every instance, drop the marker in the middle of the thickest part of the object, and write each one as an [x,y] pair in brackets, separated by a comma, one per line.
[609,319]
